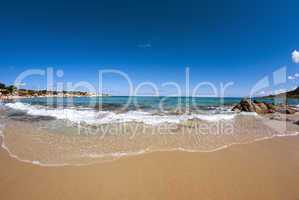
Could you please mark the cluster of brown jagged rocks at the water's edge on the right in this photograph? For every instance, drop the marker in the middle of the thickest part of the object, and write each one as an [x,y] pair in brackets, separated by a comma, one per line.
[247,105]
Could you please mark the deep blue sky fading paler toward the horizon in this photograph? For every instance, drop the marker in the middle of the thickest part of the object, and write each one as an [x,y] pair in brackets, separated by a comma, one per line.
[220,41]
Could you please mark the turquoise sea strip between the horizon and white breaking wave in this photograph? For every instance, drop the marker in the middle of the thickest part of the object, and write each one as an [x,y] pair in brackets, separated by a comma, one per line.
[143,103]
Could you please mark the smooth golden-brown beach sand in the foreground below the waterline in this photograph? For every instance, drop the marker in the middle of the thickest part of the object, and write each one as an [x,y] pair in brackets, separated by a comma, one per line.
[266,169]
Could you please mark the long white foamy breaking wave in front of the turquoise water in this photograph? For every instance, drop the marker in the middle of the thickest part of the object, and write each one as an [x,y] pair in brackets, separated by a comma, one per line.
[93,117]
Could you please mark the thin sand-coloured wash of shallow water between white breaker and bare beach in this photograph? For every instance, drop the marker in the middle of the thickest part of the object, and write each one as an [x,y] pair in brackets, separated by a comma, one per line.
[19,135]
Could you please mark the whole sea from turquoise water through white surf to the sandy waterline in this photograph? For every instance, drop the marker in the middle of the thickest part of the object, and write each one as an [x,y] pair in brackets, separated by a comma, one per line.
[60,133]
